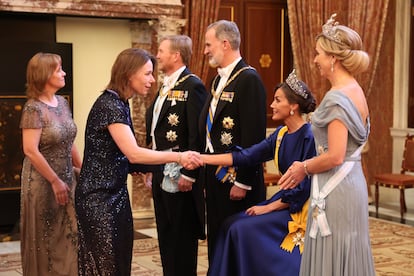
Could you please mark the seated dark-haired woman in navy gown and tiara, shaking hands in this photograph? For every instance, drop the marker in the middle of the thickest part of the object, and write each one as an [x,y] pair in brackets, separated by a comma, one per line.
[268,239]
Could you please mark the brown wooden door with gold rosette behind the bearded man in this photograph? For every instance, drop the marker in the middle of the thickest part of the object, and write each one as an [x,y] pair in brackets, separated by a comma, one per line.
[265,40]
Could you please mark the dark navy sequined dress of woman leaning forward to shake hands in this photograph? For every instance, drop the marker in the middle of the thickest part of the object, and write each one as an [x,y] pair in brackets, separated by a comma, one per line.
[102,200]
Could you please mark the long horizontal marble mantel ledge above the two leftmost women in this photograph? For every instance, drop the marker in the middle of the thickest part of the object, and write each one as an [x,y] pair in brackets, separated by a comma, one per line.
[95,8]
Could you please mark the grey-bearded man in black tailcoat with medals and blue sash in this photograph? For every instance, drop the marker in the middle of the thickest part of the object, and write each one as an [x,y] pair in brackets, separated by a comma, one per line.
[234,116]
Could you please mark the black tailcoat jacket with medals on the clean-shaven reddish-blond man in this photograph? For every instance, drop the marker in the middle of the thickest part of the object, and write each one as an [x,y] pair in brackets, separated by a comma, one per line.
[177,127]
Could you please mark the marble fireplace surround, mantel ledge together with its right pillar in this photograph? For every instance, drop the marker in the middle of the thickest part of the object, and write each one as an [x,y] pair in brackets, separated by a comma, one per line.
[149,20]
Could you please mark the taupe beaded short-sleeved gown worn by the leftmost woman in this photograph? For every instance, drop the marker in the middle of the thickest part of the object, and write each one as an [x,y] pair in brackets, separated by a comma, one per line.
[48,230]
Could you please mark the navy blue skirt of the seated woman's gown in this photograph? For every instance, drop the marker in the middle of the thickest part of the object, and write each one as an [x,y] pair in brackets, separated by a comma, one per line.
[250,245]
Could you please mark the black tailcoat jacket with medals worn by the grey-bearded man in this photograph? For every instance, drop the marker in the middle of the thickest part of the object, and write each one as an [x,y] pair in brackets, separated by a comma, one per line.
[239,120]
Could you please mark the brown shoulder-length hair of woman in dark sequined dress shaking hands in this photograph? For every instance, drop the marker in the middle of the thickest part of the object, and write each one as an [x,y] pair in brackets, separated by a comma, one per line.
[126,64]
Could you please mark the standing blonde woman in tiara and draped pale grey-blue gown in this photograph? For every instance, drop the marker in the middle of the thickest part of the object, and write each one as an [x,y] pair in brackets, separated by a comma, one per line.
[337,235]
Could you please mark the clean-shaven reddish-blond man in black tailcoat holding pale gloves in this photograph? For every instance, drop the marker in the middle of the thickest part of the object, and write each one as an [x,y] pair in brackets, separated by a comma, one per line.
[172,125]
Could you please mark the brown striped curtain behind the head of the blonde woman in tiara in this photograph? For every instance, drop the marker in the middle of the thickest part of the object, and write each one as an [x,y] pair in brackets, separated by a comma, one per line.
[306,18]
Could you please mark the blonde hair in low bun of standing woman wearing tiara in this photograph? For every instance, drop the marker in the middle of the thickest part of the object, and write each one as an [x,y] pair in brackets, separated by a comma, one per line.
[348,51]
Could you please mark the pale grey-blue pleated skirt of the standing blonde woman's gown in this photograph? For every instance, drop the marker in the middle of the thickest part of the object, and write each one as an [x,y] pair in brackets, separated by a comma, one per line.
[347,251]
